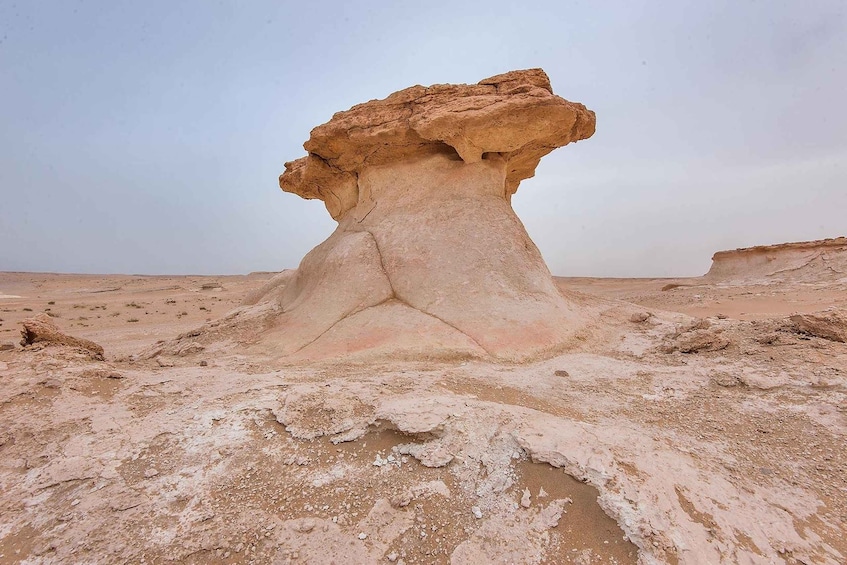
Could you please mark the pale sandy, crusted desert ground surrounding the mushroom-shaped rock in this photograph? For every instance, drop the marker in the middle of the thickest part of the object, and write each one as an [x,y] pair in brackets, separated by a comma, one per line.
[626,450]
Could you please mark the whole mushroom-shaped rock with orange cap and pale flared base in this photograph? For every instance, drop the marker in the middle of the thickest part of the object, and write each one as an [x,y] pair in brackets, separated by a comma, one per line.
[428,257]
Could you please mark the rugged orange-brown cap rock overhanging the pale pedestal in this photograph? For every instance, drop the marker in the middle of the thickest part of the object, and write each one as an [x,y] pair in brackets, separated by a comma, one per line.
[513,116]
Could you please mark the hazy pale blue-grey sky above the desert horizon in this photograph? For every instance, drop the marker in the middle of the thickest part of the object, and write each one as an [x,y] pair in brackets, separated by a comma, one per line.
[147,137]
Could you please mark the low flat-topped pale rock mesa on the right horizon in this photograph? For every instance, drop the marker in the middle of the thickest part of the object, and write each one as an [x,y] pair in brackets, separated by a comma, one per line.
[807,261]
